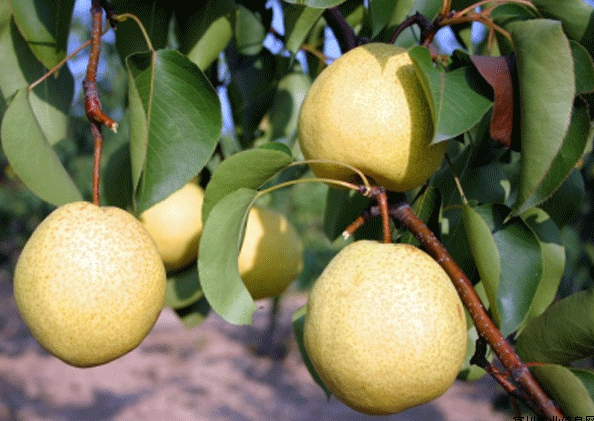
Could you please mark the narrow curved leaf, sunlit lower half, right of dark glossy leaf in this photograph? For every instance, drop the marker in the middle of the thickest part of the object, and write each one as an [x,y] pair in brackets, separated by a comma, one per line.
[552,257]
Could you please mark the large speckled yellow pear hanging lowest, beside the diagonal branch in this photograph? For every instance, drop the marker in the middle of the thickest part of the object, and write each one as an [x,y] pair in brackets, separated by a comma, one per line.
[385,328]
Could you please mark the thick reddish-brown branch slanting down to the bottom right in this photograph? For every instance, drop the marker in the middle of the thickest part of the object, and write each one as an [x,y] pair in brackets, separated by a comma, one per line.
[484,325]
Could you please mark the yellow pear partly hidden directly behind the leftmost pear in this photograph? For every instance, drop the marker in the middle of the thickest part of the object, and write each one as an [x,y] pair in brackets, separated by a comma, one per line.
[175,224]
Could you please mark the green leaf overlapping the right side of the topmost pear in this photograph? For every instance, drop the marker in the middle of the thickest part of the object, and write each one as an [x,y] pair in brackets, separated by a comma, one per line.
[457,104]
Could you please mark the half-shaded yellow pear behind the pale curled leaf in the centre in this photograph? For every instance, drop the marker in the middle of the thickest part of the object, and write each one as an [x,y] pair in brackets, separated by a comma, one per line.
[271,253]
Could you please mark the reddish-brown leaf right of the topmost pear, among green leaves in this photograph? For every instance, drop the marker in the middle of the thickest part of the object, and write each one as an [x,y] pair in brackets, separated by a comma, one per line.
[497,71]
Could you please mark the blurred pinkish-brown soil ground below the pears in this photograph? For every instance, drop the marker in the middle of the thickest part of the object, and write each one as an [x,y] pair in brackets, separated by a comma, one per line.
[210,372]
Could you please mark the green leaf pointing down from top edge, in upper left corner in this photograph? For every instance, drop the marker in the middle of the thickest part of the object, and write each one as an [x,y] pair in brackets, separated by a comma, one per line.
[45,25]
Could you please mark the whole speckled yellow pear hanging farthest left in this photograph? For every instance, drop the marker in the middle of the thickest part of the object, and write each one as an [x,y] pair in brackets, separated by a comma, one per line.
[89,283]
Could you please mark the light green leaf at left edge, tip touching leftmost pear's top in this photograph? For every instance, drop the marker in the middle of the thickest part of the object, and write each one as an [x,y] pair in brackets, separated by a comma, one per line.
[31,156]
